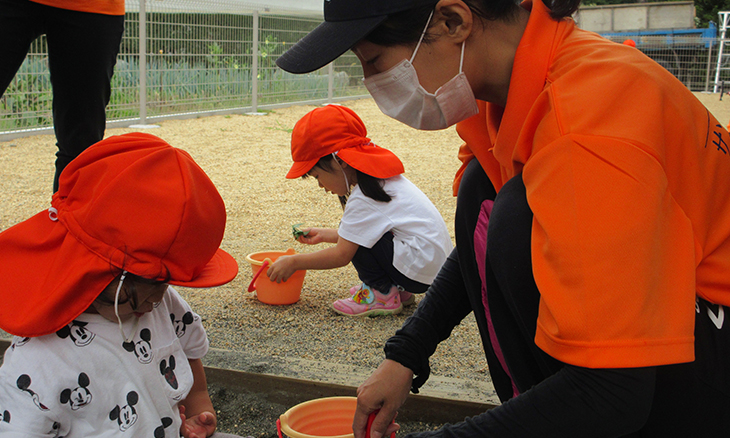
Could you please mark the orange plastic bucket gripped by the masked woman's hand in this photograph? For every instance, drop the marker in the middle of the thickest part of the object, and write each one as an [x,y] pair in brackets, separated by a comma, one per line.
[329,417]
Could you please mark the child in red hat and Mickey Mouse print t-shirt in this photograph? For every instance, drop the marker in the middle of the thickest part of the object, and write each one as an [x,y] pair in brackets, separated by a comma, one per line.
[102,344]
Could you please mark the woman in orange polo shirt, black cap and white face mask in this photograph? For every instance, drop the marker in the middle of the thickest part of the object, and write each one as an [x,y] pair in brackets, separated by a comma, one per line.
[593,240]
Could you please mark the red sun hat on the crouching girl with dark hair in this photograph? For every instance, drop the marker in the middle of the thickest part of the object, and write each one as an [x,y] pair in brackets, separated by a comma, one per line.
[339,130]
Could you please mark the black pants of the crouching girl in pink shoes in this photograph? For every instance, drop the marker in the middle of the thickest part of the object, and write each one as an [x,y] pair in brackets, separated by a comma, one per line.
[375,268]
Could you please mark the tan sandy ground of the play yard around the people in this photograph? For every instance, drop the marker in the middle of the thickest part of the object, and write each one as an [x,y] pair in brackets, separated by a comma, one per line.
[247,157]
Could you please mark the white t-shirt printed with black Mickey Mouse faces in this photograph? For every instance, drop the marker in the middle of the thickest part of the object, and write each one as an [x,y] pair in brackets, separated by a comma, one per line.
[85,381]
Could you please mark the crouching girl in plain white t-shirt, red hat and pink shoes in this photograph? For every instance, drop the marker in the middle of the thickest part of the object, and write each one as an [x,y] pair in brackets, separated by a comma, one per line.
[391,232]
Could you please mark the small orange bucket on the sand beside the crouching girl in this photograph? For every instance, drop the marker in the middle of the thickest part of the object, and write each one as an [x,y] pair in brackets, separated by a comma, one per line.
[271,292]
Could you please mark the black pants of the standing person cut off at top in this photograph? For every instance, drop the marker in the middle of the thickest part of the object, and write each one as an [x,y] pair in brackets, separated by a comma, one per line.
[82,51]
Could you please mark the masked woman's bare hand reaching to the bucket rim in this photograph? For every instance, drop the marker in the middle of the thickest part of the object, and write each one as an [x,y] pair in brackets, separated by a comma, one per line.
[385,390]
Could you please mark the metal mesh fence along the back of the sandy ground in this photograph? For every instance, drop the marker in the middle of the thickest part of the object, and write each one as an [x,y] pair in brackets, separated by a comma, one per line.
[186,58]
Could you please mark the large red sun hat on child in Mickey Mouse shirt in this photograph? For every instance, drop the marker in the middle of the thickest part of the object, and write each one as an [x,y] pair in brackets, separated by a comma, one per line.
[130,202]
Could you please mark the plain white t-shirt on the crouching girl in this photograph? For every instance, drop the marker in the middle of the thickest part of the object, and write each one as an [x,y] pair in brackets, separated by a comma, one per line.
[421,241]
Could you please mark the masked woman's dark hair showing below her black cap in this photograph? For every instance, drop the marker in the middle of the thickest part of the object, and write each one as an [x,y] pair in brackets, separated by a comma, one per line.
[405,27]
